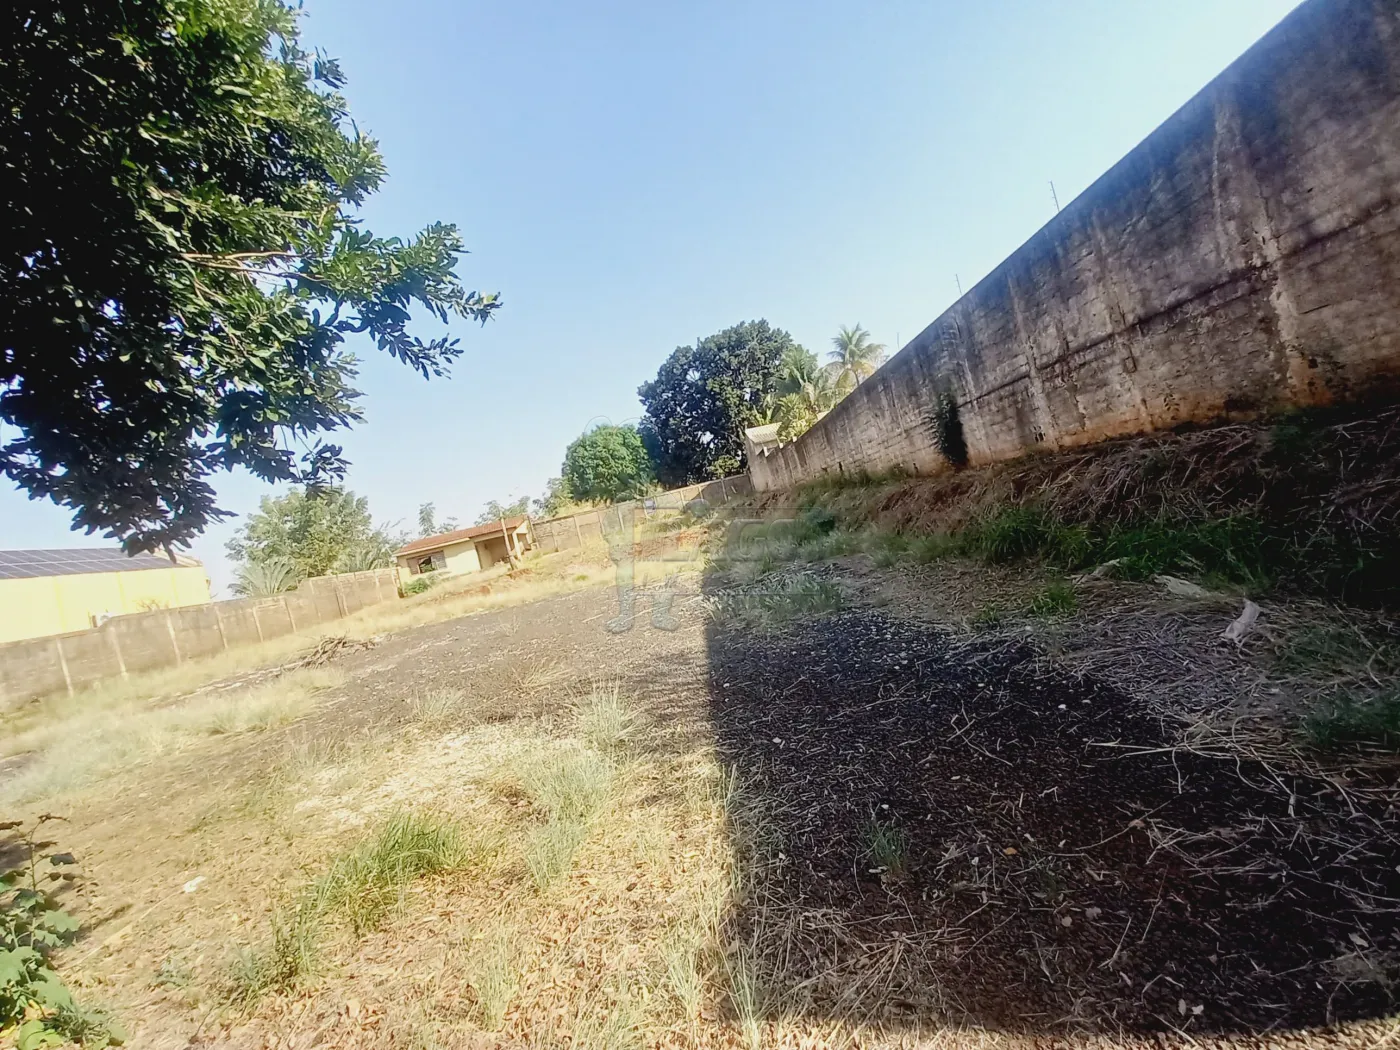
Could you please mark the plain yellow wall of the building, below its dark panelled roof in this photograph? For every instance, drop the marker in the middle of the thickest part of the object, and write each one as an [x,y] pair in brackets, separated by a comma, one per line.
[34,607]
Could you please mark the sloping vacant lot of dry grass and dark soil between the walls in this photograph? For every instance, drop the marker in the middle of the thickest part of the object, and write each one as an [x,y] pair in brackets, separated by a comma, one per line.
[835,804]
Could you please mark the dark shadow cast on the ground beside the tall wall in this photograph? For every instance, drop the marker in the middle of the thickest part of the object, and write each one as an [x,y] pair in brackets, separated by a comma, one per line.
[957,831]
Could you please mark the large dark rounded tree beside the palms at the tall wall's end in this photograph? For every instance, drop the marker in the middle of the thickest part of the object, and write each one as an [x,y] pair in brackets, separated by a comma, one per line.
[706,395]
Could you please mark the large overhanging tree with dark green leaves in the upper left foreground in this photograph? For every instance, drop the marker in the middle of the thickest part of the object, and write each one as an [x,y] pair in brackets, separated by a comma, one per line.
[184,262]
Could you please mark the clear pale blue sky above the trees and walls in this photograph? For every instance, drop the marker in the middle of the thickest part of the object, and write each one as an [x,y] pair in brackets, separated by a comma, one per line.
[632,177]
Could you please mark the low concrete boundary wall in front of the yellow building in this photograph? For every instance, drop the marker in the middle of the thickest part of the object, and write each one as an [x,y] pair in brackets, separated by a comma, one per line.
[169,638]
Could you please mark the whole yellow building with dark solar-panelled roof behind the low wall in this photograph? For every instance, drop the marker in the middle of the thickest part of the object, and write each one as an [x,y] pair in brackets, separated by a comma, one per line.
[59,591]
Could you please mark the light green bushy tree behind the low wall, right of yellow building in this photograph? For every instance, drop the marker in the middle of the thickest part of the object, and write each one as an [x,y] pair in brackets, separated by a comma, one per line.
[318,533]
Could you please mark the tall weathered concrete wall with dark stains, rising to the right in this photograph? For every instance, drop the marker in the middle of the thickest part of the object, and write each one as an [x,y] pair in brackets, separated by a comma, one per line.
[1245,258]
